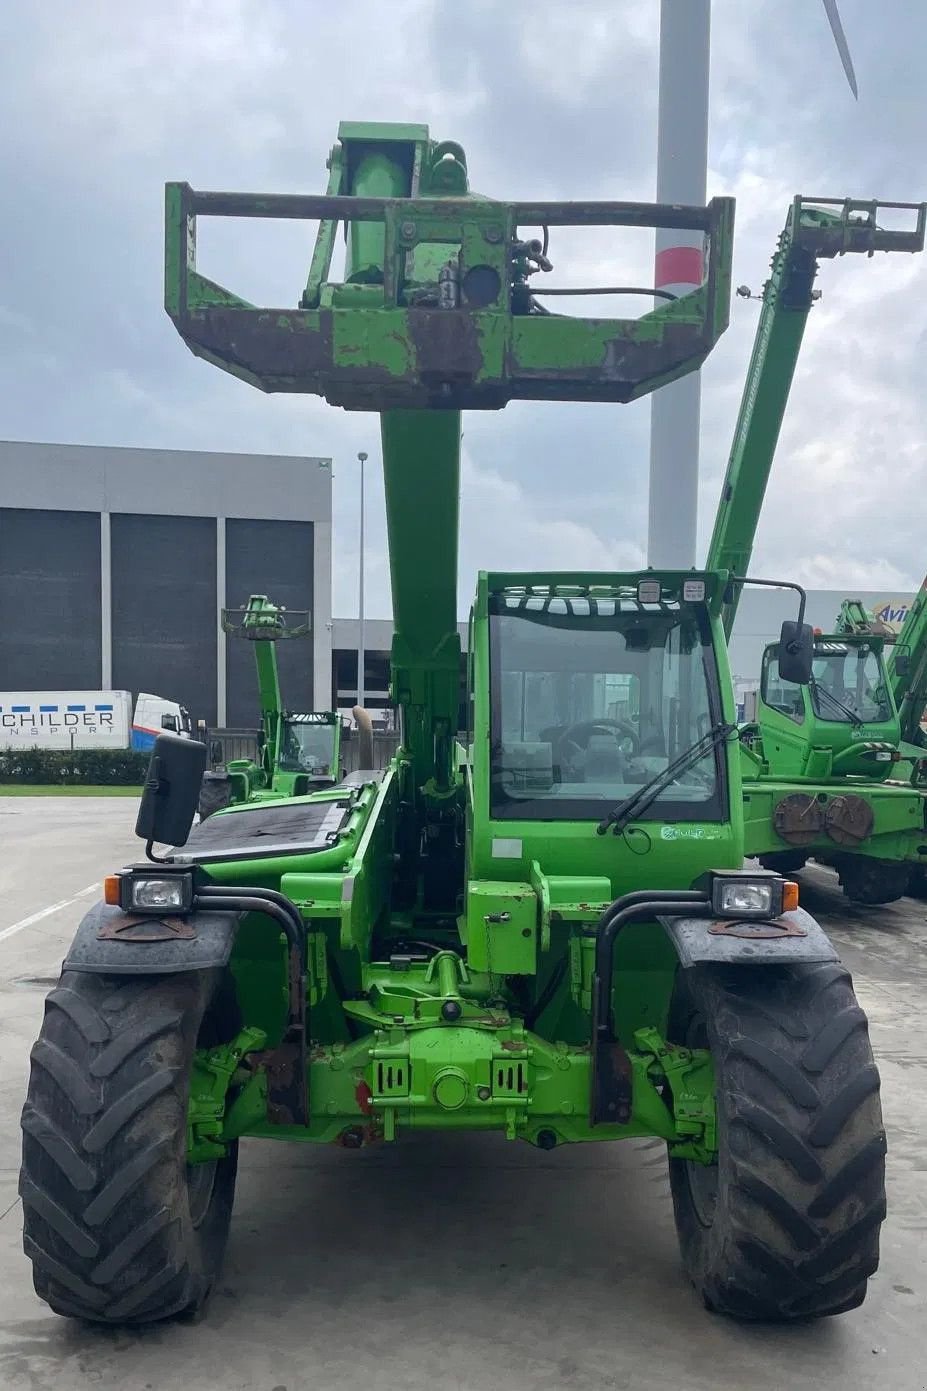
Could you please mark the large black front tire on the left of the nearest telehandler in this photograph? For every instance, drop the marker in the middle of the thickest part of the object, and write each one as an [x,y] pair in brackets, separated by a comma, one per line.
[118,1226]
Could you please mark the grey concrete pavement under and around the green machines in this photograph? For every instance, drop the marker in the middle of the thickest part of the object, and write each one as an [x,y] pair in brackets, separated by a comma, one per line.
[470,1265]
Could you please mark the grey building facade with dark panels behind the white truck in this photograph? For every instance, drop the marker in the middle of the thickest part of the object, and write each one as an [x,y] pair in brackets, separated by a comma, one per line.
[116,565]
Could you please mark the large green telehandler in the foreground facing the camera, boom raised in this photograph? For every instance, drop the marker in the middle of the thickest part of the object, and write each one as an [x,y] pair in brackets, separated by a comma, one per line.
[541,928]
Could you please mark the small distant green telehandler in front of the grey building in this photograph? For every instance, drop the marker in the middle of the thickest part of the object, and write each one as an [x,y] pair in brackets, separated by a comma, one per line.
[297,753]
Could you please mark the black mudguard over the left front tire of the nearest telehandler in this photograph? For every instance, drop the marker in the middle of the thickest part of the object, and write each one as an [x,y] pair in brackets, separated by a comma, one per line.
[207,942]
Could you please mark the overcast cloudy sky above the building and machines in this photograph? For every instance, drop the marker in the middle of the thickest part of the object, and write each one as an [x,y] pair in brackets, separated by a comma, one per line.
[101,102]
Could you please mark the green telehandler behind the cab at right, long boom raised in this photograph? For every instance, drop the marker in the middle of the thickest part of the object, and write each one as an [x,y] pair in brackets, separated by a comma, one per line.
[819,757]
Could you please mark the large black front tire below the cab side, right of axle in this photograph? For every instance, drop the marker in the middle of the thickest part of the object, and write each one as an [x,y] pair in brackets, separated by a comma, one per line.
[786,1226]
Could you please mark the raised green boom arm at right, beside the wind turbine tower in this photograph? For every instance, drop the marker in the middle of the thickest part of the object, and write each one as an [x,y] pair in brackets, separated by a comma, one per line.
[812,233]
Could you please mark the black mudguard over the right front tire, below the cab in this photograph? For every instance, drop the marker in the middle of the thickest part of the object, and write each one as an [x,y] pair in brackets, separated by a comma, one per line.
[795,937]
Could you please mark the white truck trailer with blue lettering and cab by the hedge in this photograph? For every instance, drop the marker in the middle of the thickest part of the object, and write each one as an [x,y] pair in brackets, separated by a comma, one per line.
[88,720]
